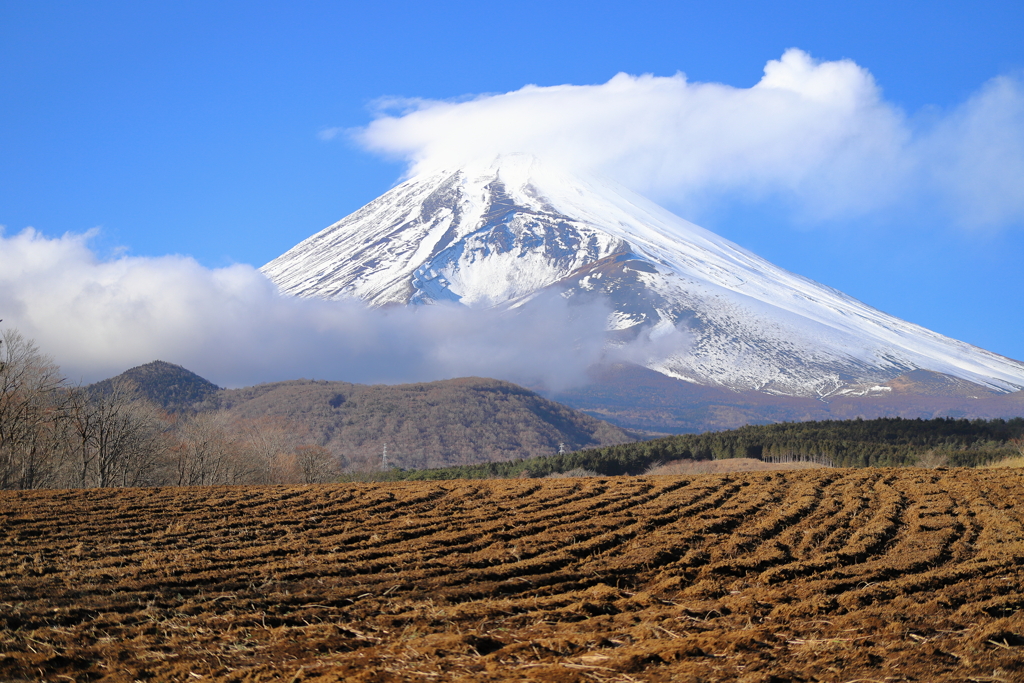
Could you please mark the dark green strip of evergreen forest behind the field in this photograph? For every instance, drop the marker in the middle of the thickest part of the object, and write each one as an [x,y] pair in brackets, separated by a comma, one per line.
[882,443]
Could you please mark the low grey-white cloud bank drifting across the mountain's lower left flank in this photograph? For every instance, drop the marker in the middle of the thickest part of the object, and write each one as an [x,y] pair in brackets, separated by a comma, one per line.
[230,325]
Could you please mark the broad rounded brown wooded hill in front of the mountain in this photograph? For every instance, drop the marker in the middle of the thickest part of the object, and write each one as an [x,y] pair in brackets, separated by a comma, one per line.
[433,424]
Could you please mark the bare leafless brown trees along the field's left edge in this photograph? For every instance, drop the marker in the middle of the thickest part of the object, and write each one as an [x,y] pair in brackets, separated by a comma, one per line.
[58,436]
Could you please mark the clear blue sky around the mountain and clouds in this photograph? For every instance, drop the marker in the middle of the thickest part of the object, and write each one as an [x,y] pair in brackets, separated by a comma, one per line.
[197,129]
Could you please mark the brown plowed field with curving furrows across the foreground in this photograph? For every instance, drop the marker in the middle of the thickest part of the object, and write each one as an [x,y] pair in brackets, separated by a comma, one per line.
[805,576]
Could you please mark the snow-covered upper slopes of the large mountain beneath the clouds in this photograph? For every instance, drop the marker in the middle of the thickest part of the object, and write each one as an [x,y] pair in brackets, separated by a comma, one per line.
[500,234]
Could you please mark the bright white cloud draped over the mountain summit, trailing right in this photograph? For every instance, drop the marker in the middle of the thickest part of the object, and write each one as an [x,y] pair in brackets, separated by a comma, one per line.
[818,135]
